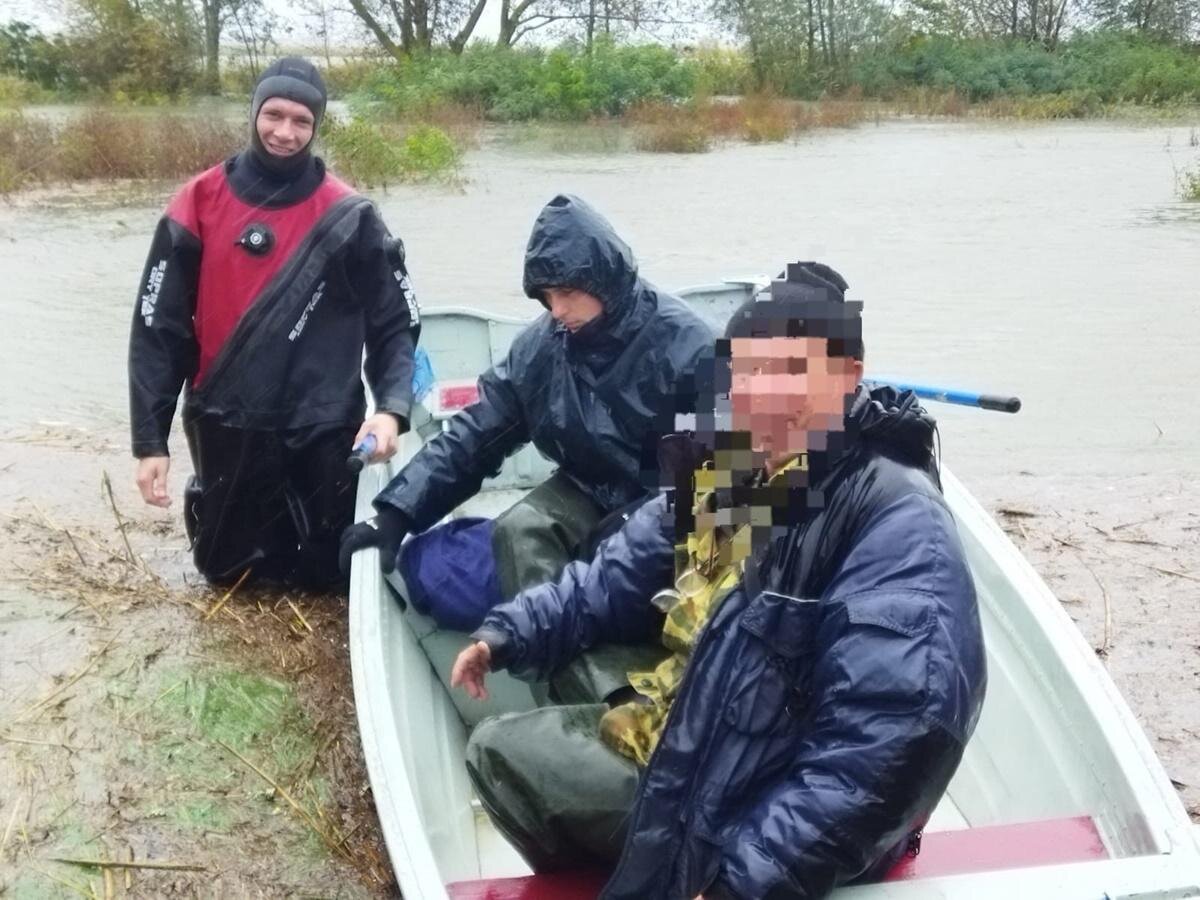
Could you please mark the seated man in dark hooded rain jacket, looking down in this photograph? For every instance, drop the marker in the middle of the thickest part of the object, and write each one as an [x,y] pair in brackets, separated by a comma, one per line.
[587,383]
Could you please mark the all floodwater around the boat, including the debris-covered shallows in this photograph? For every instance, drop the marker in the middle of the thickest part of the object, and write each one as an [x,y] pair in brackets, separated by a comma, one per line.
[1052,262]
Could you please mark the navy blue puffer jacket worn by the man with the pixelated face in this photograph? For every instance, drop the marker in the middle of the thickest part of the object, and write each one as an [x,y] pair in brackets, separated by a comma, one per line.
[827,703]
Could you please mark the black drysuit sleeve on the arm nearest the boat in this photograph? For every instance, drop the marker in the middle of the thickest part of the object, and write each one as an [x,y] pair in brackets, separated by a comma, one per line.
[379,275]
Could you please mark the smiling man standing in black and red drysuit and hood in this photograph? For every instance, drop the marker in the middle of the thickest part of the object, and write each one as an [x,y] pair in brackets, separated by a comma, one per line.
[266,280]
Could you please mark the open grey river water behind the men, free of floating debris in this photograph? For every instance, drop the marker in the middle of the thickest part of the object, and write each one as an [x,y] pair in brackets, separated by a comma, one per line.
[1053,262]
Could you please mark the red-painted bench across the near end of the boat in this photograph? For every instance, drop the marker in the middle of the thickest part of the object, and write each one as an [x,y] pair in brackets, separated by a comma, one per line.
[971,850]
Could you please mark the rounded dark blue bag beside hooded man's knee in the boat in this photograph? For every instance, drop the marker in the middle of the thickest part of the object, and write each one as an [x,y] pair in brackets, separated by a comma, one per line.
[451,573]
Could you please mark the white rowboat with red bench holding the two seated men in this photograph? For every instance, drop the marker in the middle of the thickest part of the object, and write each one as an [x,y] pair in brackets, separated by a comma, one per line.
[1058,773]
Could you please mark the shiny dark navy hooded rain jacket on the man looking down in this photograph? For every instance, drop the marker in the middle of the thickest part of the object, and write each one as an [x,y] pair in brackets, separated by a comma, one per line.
[589,400]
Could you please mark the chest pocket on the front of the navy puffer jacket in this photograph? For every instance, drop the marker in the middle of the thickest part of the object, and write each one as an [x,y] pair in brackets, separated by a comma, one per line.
[771,685]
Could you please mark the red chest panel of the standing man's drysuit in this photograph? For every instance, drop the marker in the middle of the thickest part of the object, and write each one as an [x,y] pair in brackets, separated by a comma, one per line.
[231,277]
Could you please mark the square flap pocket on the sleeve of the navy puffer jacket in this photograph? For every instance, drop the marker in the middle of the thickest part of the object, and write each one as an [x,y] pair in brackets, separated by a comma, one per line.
[885,656]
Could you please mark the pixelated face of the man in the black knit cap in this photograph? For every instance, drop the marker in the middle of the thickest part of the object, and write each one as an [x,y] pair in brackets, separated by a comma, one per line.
[788,393]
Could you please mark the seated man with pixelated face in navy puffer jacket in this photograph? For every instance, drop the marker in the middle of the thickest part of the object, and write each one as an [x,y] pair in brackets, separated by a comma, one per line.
[826,662]
